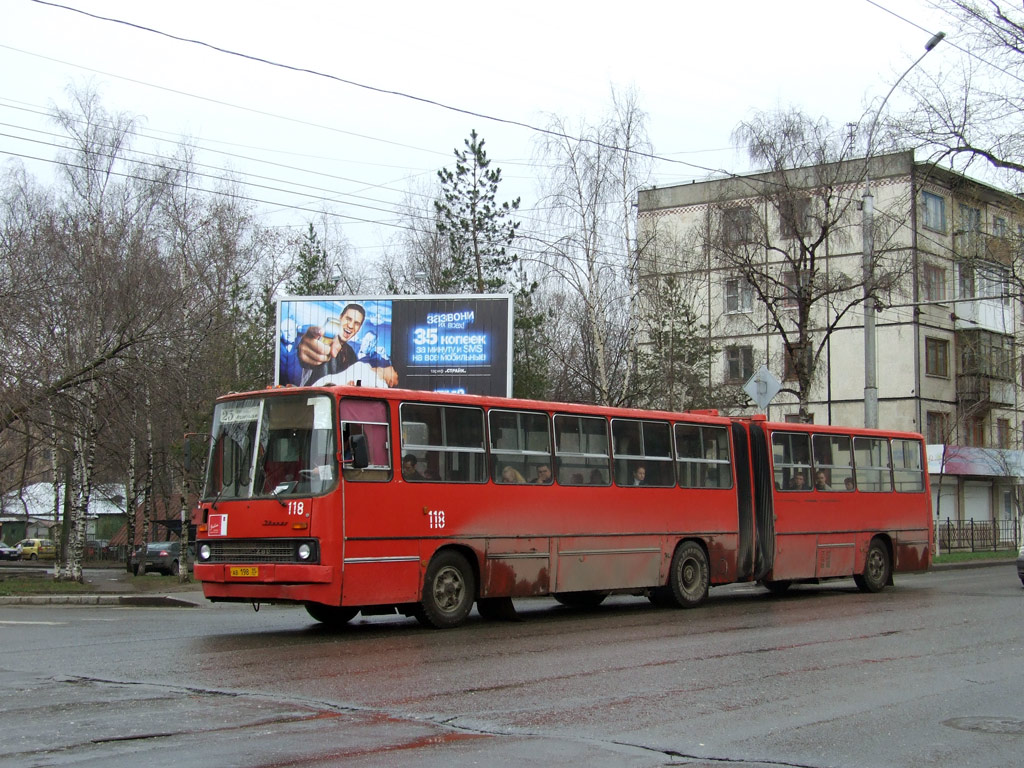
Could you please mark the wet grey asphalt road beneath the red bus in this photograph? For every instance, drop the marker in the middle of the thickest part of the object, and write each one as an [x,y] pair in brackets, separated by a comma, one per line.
[925,674]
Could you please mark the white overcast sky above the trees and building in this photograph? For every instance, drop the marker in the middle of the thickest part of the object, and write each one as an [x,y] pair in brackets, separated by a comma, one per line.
[698,68]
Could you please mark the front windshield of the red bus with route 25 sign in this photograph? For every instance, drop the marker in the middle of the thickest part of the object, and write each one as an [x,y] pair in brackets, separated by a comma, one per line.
[272,447]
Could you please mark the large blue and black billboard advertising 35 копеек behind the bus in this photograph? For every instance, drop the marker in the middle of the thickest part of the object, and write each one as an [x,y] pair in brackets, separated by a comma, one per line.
[439,344]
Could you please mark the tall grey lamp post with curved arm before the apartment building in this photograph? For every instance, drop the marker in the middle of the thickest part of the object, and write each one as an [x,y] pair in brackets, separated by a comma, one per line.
[868,264]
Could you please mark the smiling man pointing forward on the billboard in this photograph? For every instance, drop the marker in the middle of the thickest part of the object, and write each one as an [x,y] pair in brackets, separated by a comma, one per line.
[327,357]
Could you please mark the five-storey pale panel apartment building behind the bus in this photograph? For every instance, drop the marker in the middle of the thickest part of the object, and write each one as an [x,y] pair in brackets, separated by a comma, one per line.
[776,265]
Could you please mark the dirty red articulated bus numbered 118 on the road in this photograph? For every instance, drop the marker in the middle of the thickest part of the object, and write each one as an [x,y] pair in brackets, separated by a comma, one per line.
[350,500]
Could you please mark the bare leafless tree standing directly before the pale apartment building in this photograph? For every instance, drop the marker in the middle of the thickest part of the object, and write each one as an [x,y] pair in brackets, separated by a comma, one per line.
[779,232]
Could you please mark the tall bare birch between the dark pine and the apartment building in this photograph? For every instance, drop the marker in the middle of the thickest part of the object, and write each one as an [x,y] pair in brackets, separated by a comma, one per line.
[590,249]
